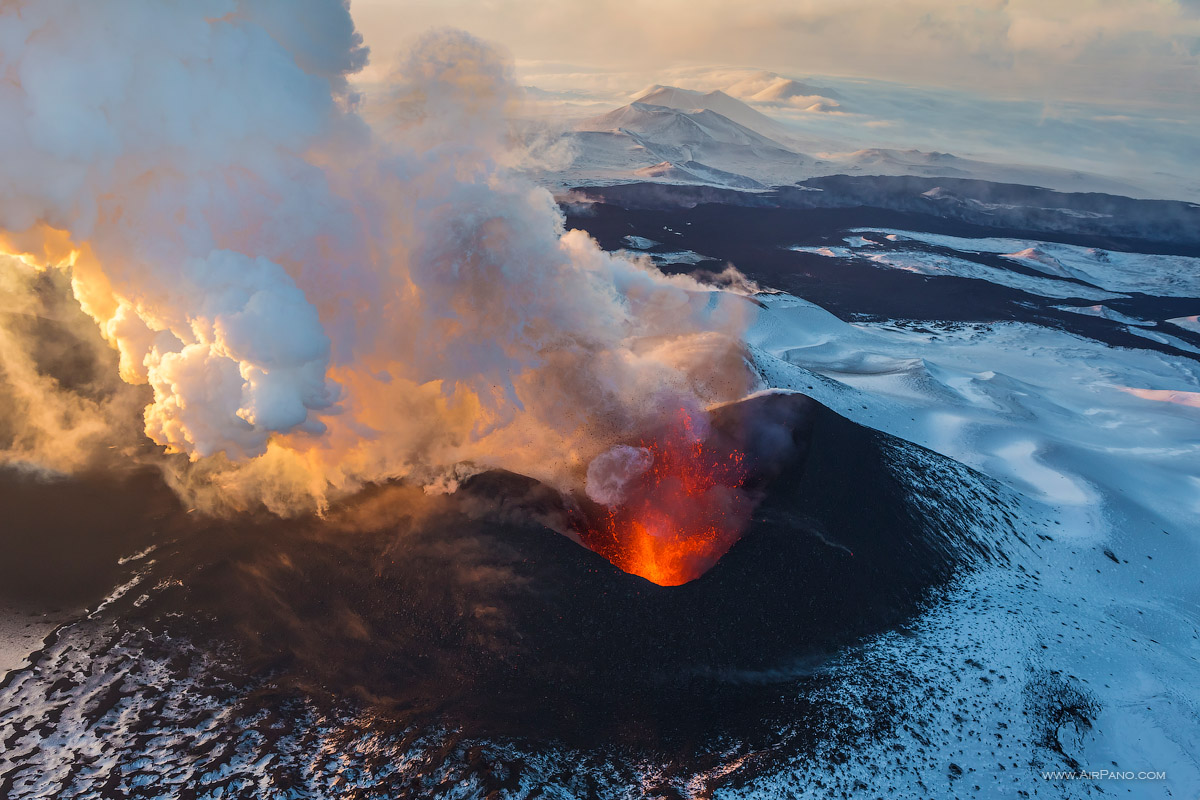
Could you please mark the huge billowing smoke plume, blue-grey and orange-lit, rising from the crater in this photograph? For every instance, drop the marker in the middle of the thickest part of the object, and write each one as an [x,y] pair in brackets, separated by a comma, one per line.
[314,305]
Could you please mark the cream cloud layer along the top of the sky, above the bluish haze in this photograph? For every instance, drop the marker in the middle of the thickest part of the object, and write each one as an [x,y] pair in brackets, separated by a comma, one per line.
[1113,51]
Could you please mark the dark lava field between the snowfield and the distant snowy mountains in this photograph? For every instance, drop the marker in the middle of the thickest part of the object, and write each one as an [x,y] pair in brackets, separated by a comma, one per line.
[757,234]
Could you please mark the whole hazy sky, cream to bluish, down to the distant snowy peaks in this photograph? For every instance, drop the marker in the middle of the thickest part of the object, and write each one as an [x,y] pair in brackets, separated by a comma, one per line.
[1015,83]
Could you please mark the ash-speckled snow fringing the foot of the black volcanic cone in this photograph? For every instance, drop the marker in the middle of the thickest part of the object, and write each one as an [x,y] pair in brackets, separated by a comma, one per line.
[115,708]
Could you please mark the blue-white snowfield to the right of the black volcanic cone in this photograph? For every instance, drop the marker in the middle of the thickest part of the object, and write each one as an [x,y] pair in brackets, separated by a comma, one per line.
[1105,441]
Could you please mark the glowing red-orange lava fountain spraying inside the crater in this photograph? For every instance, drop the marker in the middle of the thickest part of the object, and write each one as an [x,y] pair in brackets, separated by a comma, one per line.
[682,515]
